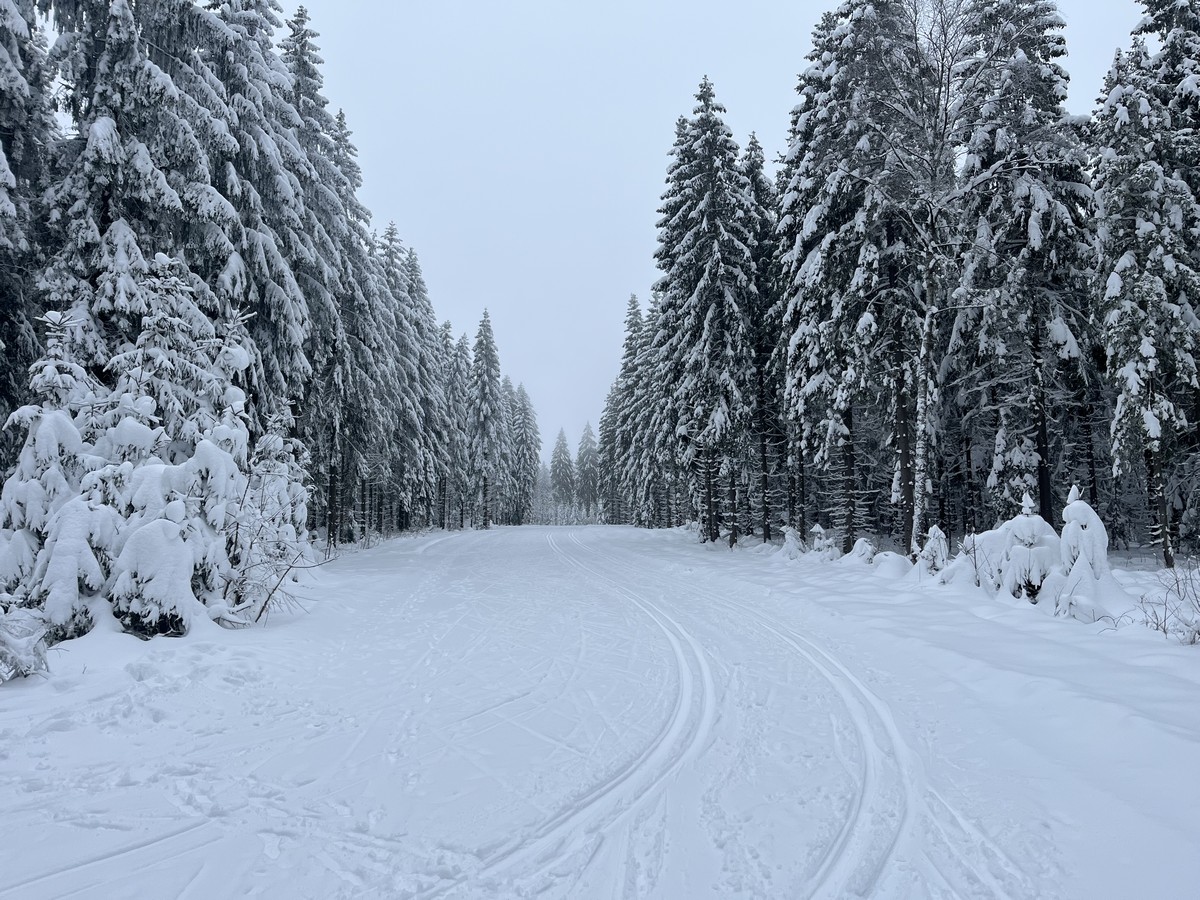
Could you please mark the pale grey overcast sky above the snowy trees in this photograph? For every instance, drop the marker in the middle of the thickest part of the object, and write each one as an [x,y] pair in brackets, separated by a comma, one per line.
[521,149]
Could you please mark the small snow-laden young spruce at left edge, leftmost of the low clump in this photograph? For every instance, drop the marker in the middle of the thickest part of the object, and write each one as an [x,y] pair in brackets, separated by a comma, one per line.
[46,559]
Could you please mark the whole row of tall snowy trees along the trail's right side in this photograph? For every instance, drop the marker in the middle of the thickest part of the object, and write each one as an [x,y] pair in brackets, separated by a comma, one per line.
[952,295]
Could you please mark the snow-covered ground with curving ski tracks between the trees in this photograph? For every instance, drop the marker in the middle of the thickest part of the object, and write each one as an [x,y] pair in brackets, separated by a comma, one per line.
[603,713]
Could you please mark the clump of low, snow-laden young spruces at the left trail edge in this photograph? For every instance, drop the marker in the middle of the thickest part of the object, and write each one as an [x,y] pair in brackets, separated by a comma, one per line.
[148,502]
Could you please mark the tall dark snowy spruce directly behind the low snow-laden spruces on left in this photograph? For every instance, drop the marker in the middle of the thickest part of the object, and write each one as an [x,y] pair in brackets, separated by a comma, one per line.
[118,200]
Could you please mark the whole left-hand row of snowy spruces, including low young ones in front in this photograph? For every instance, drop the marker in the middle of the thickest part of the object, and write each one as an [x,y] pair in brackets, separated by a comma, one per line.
[206,349]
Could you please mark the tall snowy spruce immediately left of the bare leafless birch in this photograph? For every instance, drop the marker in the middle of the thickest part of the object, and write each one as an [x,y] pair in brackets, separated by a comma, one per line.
[848,274]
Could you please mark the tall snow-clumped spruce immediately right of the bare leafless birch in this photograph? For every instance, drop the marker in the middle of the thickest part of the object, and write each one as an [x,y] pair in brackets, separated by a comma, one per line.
[1025,283]
